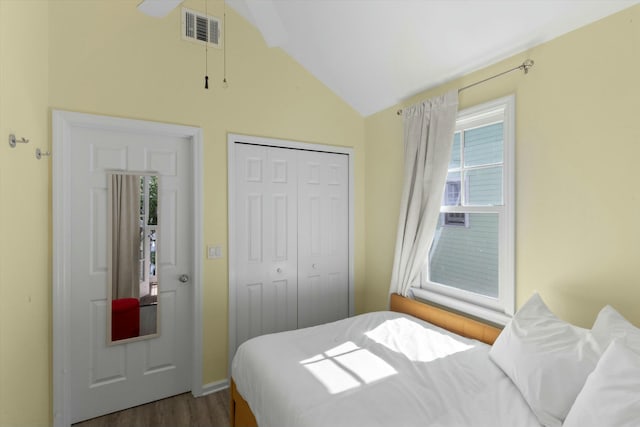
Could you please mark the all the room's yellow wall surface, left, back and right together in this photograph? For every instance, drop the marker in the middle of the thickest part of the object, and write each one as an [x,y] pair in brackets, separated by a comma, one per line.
[577,144]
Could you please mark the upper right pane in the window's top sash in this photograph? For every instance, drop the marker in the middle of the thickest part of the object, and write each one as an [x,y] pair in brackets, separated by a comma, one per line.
[483,145]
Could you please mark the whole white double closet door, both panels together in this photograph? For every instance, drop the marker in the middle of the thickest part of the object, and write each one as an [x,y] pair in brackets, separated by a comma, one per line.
[291,236]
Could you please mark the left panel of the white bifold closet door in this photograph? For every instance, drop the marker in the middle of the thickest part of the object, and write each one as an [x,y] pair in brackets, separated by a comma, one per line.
[266,224]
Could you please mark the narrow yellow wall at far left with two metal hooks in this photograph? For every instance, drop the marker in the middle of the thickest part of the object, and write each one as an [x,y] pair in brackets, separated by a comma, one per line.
[25,256]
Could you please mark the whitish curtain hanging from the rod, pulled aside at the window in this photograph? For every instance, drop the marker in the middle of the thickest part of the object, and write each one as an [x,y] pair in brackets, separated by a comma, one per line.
[428,137]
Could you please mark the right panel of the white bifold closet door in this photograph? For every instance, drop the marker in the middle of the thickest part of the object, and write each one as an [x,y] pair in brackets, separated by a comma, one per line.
[323,237]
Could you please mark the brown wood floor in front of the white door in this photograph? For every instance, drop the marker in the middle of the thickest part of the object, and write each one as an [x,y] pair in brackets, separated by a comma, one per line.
[182,410]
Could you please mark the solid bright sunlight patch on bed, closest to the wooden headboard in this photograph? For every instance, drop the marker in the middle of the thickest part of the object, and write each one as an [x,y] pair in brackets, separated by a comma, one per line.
[417,343]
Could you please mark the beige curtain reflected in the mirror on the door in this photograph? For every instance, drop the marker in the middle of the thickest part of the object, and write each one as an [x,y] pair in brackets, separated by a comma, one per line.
[125,235]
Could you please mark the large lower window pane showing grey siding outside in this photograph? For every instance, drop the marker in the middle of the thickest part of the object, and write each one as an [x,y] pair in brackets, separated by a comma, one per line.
[467,257]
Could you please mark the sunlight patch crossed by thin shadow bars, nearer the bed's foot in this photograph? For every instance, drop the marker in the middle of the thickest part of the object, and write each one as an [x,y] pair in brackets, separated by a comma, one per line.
[346,367]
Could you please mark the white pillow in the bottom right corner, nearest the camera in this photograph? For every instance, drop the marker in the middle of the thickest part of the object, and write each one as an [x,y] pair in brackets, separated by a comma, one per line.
[611,395]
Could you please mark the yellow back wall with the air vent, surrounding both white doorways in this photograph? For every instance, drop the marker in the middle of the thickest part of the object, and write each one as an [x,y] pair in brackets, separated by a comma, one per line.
[107,58]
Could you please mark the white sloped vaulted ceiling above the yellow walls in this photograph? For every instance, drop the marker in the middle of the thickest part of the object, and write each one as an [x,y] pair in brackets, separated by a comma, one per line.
[375,53]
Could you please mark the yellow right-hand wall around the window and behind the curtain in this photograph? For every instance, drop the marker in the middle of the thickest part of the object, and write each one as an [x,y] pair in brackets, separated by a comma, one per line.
[577,149]
